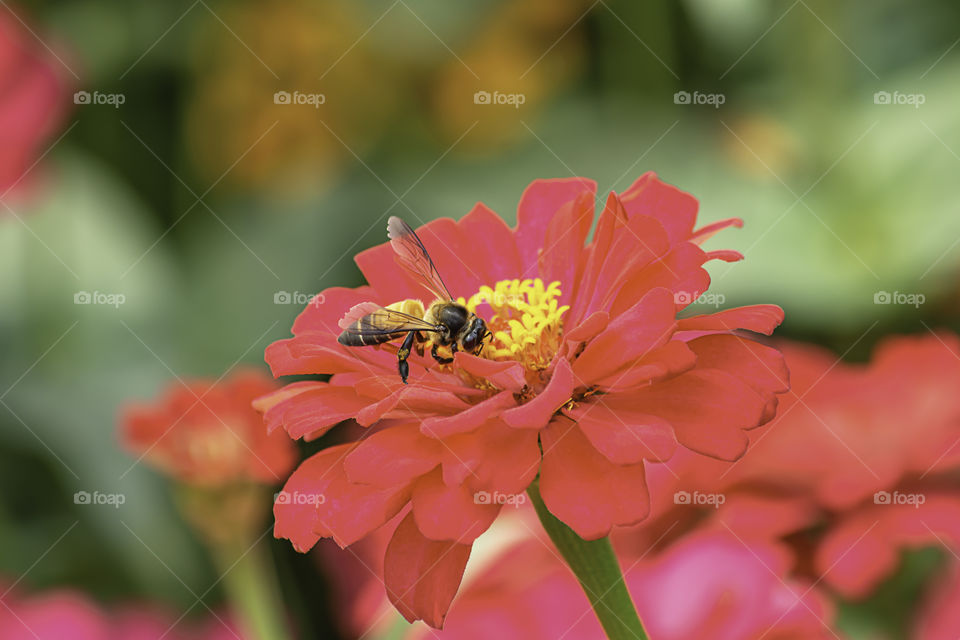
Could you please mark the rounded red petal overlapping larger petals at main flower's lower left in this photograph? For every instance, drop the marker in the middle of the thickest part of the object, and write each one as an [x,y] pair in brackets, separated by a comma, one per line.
[393,456]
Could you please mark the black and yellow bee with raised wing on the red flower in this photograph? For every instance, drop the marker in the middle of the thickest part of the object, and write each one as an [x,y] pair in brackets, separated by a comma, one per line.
[445,323]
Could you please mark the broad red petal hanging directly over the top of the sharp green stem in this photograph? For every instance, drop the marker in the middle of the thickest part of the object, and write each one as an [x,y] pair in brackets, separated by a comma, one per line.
[584,489]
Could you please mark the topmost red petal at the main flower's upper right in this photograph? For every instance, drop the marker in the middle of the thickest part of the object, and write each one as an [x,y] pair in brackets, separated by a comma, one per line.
[675,209]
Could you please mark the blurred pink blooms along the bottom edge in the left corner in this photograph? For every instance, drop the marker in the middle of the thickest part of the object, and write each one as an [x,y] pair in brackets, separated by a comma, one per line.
[67,613]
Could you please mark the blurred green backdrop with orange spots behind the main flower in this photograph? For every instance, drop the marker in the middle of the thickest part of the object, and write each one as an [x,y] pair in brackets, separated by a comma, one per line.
[200,198]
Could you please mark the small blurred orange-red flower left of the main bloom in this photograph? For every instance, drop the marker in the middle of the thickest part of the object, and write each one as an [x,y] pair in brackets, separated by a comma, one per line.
[207,433]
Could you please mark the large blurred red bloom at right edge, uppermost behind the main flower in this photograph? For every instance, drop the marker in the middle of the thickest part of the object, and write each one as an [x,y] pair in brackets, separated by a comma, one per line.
[847,431]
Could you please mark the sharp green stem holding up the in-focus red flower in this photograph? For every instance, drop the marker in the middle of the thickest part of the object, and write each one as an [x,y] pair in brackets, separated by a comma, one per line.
[595,566]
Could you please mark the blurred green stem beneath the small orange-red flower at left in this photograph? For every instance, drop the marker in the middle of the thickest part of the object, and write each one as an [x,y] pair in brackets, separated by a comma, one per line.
[251,585]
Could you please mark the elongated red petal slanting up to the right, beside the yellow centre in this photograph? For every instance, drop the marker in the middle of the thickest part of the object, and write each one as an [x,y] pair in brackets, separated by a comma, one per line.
[645,326]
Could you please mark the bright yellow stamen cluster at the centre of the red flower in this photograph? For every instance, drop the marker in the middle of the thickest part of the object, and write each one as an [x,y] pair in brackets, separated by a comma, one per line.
[525,319]
